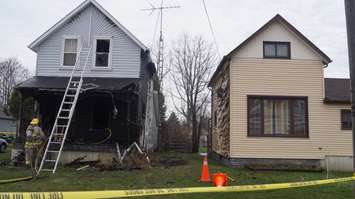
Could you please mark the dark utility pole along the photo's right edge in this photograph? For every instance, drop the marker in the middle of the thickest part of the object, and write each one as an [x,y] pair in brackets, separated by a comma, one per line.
[350,24]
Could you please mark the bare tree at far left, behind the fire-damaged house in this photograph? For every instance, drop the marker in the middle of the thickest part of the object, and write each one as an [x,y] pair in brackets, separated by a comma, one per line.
[11,73]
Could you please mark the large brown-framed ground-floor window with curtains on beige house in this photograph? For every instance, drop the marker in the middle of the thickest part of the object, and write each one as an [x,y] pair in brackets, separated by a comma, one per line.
[277,116]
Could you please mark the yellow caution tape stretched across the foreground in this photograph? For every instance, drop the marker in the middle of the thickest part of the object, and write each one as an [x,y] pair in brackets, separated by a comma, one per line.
[154,192]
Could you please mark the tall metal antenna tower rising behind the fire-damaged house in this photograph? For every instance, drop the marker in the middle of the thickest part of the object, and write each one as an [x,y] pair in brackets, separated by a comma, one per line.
[160,59]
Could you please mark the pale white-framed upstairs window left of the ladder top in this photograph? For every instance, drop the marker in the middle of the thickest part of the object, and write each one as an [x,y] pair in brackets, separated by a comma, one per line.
[70,52]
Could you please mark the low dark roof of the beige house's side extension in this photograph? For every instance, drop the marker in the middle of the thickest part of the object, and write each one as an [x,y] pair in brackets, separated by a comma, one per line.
[337,90]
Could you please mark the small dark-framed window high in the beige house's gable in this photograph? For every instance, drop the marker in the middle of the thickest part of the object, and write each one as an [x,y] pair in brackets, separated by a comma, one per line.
[279,50]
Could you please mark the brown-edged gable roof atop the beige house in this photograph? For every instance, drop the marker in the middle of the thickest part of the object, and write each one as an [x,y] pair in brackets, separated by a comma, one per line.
[276,18]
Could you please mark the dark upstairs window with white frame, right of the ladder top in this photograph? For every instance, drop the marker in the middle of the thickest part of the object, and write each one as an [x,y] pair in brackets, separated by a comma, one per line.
[102,54]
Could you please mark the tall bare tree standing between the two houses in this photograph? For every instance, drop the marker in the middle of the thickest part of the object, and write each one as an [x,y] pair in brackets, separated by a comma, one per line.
[192,60]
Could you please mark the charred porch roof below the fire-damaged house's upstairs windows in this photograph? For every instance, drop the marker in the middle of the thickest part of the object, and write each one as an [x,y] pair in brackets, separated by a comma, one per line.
[60,83]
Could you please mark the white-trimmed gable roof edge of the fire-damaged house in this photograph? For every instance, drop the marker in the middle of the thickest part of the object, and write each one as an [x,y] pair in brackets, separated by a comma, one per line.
[77,10]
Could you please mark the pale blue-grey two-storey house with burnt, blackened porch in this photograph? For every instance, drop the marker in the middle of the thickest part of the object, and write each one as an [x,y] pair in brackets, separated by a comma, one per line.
[116,102]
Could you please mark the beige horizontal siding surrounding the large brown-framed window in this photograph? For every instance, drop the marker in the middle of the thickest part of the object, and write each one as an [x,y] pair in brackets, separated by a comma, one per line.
[253,76]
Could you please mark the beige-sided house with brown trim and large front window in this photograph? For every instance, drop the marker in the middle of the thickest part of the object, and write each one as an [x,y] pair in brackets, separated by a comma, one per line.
[273,108]
